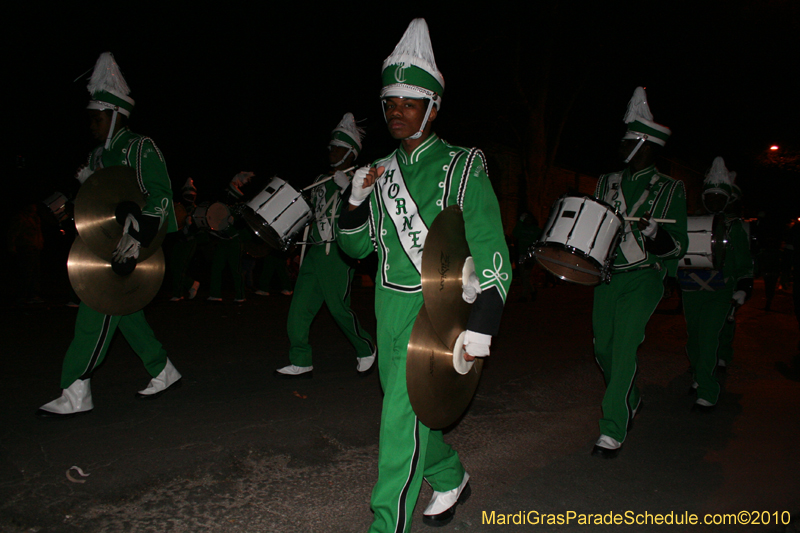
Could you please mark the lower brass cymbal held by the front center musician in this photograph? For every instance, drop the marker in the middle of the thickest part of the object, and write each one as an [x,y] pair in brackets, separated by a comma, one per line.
[438,394]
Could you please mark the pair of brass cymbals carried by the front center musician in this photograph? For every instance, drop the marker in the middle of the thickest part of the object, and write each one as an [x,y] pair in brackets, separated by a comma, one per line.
[438,392]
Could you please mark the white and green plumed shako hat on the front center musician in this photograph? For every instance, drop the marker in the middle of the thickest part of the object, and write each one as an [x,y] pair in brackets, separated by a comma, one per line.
[410,71]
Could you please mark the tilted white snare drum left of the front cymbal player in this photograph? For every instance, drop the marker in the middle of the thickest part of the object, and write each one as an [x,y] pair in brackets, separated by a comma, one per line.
[277,214]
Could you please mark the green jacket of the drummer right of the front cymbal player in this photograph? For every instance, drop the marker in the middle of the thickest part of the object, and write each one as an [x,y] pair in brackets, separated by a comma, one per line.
[633,195]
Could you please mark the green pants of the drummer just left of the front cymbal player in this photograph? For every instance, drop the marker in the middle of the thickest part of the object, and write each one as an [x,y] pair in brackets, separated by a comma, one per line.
[323,278]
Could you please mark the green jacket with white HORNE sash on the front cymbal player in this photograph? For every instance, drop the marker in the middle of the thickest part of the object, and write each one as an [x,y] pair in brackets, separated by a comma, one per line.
[411,192]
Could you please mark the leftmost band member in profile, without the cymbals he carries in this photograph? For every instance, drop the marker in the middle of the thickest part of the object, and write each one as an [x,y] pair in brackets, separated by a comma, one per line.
[109,109]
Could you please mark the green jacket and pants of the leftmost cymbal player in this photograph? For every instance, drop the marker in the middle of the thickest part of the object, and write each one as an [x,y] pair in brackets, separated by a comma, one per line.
[93,330]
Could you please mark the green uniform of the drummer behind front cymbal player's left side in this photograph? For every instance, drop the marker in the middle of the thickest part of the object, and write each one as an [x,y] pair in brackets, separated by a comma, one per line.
[325,276]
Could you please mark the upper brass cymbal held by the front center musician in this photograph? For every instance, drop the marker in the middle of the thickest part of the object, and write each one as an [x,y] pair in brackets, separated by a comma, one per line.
[443,258]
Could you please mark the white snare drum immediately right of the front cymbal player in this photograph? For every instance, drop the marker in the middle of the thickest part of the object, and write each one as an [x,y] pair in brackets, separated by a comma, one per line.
[579,240]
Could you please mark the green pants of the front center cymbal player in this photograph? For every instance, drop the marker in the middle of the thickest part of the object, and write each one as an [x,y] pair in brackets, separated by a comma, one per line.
[408,451]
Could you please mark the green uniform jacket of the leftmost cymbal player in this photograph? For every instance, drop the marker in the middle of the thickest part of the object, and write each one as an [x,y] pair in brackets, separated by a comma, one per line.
[141,154]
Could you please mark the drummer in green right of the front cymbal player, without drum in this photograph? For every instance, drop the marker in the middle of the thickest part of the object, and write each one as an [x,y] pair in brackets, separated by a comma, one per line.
[646,253]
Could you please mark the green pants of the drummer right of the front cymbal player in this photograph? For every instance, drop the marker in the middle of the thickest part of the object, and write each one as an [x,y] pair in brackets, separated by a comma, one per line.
[621,311]
